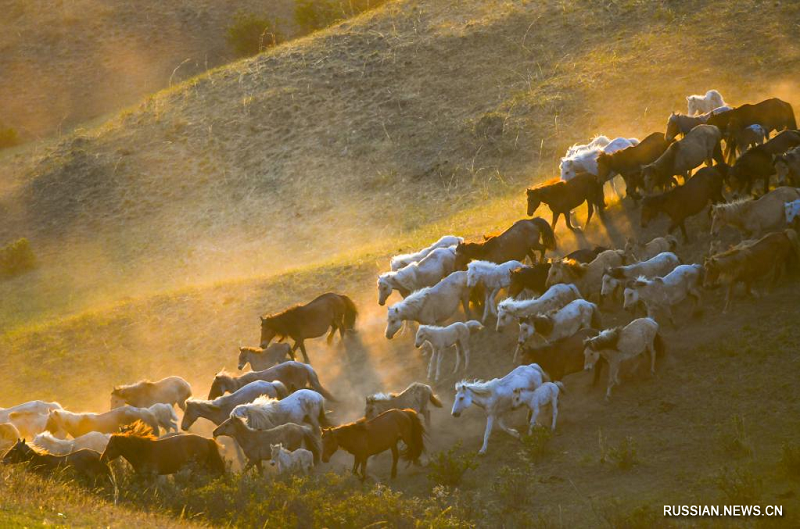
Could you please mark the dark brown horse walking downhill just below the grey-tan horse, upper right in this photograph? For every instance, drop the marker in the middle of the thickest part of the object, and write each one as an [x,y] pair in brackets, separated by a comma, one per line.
[689,199]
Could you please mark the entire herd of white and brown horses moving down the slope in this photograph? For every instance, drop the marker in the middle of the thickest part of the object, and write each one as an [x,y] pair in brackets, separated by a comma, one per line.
[277,411]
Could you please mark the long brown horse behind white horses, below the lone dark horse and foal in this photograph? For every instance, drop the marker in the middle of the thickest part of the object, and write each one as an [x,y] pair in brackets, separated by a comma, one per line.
[294,375]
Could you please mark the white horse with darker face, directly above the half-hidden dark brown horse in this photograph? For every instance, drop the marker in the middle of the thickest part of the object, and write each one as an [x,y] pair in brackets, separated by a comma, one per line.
[560,323]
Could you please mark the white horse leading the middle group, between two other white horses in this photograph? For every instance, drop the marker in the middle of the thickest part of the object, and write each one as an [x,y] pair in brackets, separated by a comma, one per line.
[425,273]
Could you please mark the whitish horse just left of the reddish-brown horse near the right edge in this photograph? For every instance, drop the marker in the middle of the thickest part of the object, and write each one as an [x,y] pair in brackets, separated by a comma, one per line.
[663,293]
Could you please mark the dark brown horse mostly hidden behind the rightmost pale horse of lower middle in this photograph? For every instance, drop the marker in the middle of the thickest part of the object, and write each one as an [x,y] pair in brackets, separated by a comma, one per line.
[562,357]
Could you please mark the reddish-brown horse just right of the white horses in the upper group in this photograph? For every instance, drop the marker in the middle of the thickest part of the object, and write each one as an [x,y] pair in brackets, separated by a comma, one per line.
[628,162]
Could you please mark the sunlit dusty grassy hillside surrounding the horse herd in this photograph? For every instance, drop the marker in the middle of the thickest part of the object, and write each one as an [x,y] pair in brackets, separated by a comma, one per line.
[164,233]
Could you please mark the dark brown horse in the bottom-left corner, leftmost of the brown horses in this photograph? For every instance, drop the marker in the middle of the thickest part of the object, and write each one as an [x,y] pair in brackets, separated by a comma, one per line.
[83,462]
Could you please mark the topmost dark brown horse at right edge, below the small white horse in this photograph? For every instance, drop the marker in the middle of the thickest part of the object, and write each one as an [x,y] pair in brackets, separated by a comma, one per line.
[772,114]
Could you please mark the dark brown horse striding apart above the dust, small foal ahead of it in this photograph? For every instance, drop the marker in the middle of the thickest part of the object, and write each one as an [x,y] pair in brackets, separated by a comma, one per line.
[328,311]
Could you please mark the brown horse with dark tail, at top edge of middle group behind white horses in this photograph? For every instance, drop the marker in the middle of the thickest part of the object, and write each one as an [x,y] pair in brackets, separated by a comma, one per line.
[520,240]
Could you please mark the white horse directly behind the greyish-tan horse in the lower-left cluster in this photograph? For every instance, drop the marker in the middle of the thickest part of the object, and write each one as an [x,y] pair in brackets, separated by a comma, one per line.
[265,413]
